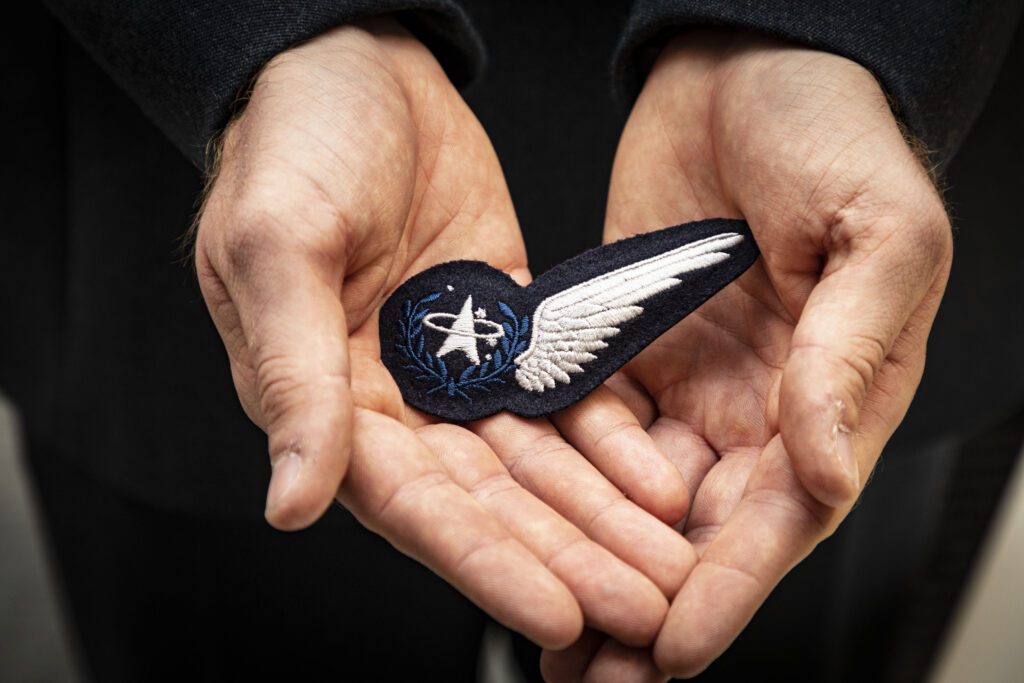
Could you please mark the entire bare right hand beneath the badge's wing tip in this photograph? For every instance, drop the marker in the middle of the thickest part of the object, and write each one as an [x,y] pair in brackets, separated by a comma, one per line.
[777,398]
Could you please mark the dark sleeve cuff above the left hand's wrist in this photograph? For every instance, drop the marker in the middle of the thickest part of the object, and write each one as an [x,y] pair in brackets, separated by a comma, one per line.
[185,62]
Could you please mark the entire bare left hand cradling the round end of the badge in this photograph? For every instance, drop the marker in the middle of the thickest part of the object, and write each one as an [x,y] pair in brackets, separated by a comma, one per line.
[354,166]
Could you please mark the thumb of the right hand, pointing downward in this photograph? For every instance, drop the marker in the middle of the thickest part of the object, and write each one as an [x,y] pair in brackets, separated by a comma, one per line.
[877,276]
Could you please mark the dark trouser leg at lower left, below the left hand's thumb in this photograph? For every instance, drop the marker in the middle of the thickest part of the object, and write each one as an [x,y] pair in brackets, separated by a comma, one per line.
[158,595]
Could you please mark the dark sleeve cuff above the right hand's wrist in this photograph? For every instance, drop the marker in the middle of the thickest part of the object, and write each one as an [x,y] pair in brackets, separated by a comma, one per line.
[936,60]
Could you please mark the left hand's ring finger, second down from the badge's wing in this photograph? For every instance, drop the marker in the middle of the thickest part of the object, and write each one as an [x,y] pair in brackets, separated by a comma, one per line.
[539,459]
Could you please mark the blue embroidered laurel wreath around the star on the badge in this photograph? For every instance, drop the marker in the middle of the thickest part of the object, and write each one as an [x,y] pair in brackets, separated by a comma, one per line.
[435,370]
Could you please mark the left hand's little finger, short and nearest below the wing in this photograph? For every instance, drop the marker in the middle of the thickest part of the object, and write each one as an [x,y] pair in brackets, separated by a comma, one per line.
[606,433]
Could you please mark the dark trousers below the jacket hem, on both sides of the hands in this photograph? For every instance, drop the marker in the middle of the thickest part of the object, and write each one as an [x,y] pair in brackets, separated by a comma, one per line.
[161,595]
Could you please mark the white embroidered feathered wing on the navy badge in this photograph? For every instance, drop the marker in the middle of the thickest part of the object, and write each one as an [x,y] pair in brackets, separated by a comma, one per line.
[571,326]
